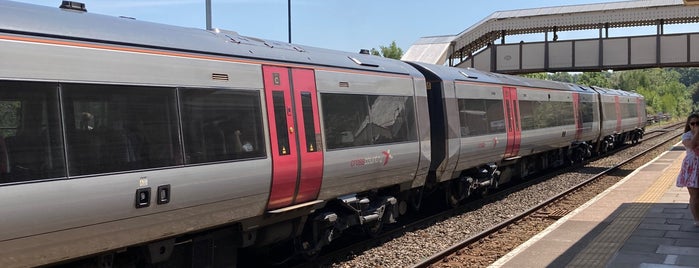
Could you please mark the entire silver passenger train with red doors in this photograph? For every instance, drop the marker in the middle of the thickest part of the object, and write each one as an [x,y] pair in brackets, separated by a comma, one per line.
[124,141]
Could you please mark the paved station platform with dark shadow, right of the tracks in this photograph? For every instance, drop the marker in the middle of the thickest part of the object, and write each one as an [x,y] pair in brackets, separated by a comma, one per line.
[642,221]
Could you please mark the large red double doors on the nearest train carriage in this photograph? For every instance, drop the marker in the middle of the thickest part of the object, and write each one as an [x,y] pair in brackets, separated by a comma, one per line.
[294,126]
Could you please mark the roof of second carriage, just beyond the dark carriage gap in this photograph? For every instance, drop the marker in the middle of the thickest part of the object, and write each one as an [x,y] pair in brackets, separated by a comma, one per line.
[474,75]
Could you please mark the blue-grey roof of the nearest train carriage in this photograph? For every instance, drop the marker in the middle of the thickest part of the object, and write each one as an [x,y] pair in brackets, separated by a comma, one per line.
[28,19]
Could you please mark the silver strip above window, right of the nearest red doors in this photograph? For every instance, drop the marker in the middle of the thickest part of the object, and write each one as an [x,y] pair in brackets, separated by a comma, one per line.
[364,83]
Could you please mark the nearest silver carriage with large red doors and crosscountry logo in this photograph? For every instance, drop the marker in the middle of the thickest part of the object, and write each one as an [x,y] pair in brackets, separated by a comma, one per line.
[117,132]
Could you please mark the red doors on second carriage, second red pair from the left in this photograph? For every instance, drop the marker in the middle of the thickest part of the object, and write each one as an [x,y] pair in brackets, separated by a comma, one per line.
[514,130]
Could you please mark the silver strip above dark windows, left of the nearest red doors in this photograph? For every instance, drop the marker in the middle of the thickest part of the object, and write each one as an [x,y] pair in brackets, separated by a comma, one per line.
[66,63]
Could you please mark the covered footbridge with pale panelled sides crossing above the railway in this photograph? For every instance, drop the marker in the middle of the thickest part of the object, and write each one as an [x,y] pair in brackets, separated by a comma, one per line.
[476,46]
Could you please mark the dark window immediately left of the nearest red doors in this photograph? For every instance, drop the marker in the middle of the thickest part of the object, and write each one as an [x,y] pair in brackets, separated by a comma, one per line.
[221,125]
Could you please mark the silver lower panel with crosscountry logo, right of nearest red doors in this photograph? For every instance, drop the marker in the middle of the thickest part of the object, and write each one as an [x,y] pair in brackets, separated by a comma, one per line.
[348,171]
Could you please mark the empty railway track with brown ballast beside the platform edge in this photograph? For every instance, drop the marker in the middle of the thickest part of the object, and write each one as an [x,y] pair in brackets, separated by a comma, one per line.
[486,247]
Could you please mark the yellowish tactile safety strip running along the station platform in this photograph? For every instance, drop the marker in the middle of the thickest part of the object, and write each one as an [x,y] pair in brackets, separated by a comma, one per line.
[606,244]
